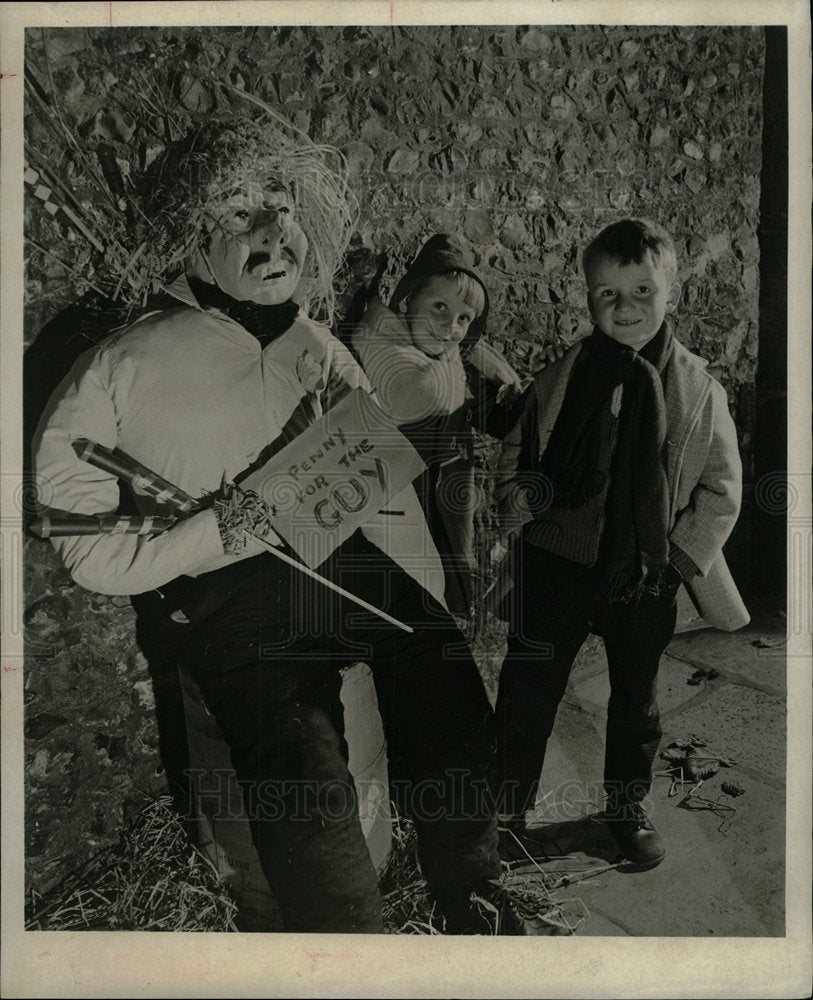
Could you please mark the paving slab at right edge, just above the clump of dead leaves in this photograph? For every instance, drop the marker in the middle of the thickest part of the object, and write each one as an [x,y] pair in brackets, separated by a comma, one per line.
[739,722]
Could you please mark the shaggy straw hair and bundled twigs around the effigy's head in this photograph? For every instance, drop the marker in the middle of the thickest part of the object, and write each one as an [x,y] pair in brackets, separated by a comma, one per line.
[136,238]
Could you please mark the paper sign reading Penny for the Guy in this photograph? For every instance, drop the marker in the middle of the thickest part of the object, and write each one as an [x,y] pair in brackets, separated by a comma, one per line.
[335,476]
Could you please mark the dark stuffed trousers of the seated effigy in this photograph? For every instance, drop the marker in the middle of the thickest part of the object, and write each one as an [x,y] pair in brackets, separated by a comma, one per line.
[267,661]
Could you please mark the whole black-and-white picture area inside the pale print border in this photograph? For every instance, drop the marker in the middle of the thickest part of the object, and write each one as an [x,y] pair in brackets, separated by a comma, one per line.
[404,490]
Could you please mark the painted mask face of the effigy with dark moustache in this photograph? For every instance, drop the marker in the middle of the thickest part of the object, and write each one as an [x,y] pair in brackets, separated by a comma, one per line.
[256,250]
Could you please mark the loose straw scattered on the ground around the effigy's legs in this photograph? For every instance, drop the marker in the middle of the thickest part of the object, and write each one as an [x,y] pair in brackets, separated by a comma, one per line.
[156,880]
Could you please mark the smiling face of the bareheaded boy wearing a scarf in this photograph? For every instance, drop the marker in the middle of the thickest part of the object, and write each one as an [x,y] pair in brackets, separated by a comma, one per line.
[628,302]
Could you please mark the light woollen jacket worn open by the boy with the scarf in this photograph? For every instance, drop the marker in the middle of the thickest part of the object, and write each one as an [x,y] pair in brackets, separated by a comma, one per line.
[702,465]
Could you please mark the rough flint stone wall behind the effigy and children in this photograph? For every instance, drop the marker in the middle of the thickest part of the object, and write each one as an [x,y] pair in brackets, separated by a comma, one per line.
[526,139]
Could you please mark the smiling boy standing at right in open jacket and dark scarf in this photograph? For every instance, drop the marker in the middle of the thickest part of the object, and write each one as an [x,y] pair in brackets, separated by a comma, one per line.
[623,481]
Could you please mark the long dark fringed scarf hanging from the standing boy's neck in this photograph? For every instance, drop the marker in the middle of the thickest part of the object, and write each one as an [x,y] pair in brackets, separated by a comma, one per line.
[636,506]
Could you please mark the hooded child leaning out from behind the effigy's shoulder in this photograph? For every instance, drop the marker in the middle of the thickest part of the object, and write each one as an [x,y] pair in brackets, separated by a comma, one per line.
[434,372]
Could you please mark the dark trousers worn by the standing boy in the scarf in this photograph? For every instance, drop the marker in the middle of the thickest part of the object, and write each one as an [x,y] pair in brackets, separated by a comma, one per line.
[554,609]
